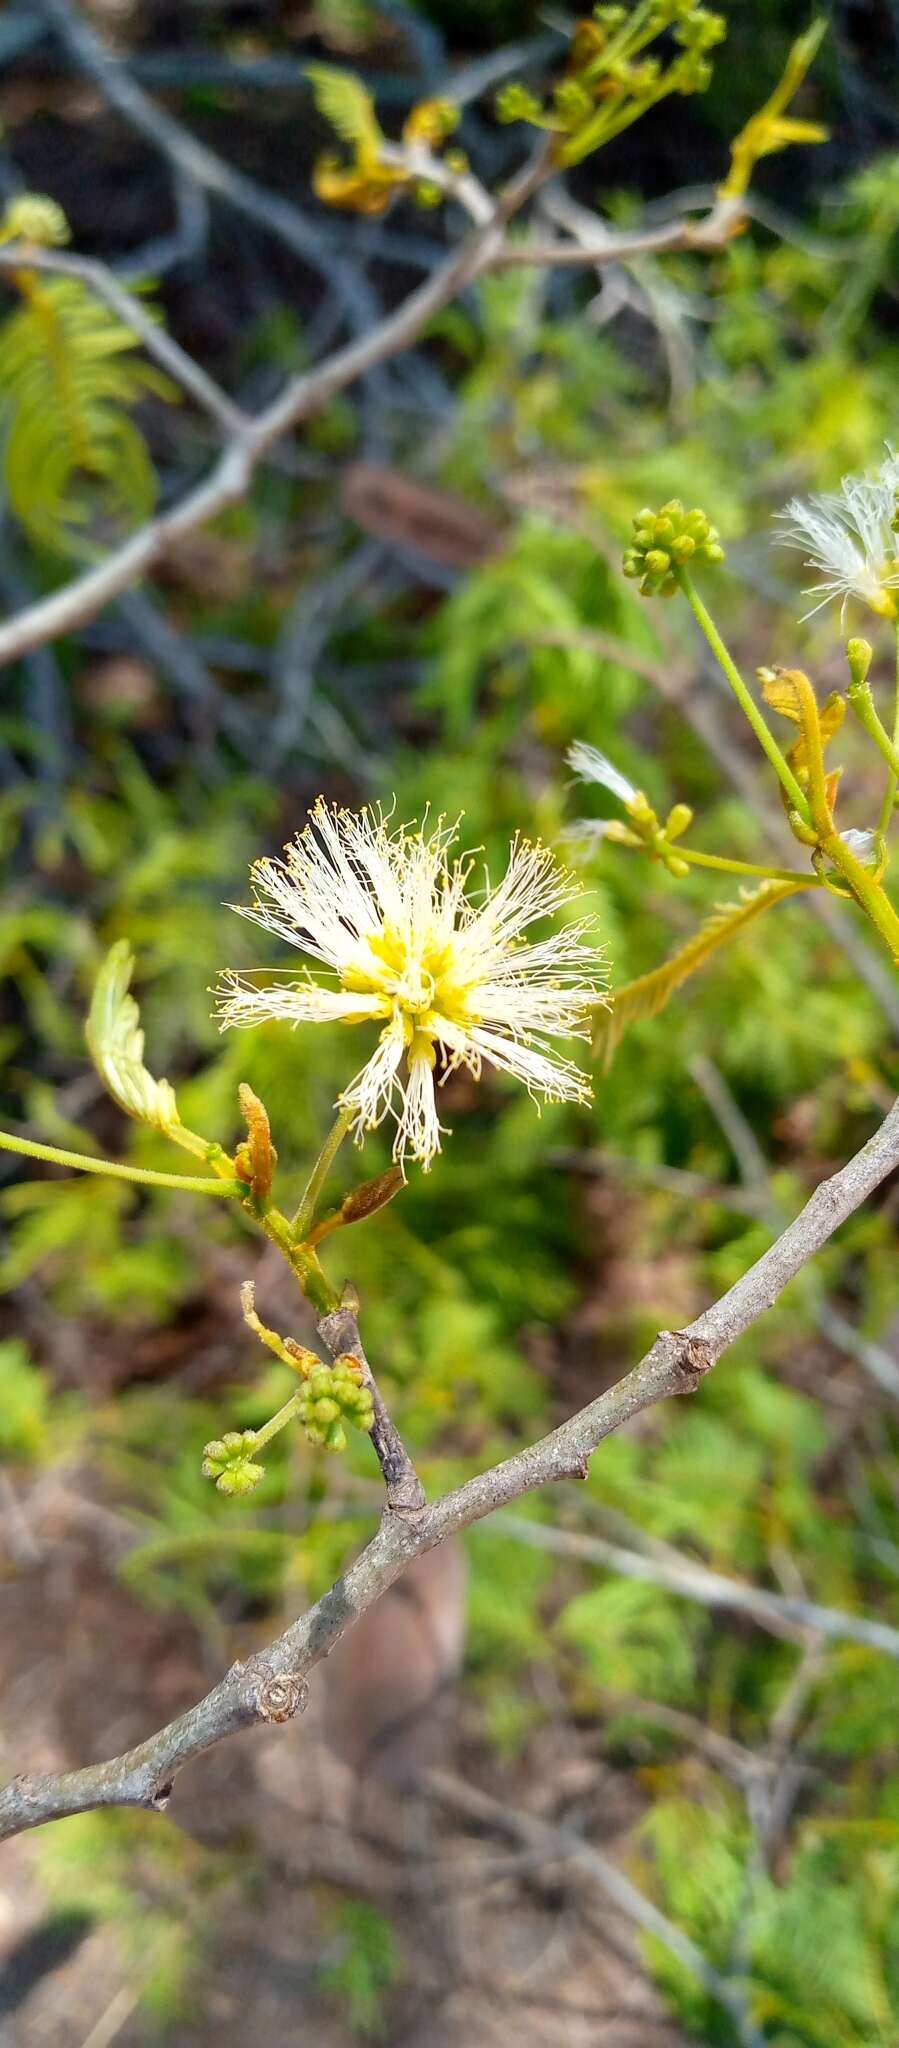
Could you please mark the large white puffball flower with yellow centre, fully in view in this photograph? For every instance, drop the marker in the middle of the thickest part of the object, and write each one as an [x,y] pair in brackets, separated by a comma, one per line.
[454,980]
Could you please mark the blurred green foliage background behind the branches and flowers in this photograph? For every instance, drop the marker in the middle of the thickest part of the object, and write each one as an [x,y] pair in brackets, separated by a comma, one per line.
[404,607]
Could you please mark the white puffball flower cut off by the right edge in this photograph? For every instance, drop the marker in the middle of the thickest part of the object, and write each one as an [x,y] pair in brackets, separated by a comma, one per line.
[851,540]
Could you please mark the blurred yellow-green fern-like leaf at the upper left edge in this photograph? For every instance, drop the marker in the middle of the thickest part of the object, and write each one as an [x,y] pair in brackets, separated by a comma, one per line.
[75,462]
